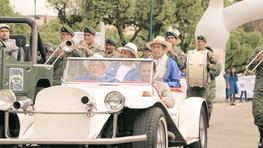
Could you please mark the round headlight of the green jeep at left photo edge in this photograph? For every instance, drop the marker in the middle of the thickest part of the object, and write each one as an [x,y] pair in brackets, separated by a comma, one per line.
[7,98]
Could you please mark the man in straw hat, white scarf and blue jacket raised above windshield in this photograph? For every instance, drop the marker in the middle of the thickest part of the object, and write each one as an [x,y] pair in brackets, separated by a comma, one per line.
[166,71]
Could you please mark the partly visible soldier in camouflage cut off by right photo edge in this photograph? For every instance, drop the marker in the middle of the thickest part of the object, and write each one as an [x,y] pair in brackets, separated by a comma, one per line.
[257,102]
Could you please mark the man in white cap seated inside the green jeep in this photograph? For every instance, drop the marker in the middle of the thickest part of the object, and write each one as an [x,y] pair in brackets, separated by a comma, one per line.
[10,43]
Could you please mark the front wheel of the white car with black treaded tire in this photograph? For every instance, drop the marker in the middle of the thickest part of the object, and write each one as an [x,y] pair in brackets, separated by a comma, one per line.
[151,122]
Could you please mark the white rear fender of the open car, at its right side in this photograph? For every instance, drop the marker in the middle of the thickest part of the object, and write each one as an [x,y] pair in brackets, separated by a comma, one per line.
[189,115]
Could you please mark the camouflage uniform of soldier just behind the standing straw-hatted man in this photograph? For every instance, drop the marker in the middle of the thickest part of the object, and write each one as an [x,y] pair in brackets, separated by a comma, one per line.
[179,56]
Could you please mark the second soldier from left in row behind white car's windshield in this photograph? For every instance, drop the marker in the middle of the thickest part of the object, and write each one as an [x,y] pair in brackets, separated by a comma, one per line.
[88,45]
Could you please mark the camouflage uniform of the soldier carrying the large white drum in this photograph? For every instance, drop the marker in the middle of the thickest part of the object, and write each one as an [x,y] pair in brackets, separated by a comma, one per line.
[204,92]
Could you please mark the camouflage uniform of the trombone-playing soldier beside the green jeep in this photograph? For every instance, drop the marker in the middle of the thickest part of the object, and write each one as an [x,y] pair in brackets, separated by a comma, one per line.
[60,64]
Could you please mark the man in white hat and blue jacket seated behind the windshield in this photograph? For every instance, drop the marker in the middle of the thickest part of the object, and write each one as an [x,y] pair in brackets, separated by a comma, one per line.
[125,70]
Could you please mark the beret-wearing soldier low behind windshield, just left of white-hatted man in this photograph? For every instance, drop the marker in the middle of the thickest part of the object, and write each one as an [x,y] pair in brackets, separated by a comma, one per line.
[110,49]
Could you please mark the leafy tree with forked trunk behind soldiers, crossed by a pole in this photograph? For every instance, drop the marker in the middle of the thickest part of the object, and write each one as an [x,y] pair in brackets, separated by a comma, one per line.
[124,13]
